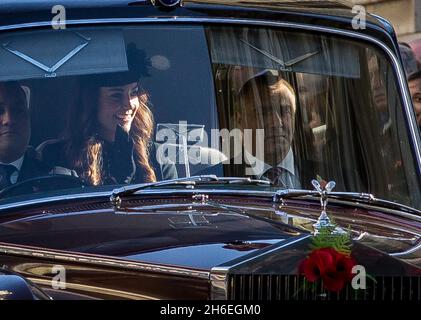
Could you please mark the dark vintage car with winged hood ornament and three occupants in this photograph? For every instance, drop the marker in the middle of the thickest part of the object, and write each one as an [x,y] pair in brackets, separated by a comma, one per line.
[191,150]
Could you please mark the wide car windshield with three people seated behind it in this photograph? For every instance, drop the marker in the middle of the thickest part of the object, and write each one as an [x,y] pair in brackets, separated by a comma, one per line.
[86,108]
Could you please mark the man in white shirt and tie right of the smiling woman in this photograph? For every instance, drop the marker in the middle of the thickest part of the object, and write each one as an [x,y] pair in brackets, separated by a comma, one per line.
[269,107]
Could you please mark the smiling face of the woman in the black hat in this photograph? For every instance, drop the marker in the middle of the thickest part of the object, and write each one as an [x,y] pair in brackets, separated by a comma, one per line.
[117,106]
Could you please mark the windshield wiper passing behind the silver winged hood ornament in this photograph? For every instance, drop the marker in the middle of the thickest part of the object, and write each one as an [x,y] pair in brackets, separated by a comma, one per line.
[365,198]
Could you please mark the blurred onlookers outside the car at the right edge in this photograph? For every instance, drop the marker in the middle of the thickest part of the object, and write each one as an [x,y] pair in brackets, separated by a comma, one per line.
[411,57]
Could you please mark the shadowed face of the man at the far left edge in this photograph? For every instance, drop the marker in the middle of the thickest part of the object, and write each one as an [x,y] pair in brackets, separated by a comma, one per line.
[14,123]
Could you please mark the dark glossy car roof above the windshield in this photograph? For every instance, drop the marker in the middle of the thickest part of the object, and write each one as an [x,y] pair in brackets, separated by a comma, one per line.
[324,13]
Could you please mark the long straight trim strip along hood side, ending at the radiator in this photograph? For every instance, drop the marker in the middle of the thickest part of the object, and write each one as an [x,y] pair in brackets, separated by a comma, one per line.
[96,260]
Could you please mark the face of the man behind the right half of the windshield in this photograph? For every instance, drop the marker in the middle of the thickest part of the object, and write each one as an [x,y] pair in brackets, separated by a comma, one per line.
[273,111]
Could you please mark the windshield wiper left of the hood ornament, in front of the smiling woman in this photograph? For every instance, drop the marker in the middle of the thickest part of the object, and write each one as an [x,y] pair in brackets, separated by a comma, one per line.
[188,182]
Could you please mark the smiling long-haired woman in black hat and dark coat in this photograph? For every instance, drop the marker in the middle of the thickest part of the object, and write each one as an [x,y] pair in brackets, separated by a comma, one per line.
[109,134]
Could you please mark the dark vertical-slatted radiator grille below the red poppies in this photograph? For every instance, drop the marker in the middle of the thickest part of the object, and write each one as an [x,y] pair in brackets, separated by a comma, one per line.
[293,287]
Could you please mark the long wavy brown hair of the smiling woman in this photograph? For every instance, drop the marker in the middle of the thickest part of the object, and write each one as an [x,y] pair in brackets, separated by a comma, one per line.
[85,148]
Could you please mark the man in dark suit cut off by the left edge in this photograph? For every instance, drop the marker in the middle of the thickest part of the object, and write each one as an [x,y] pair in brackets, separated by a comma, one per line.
[18,161]
